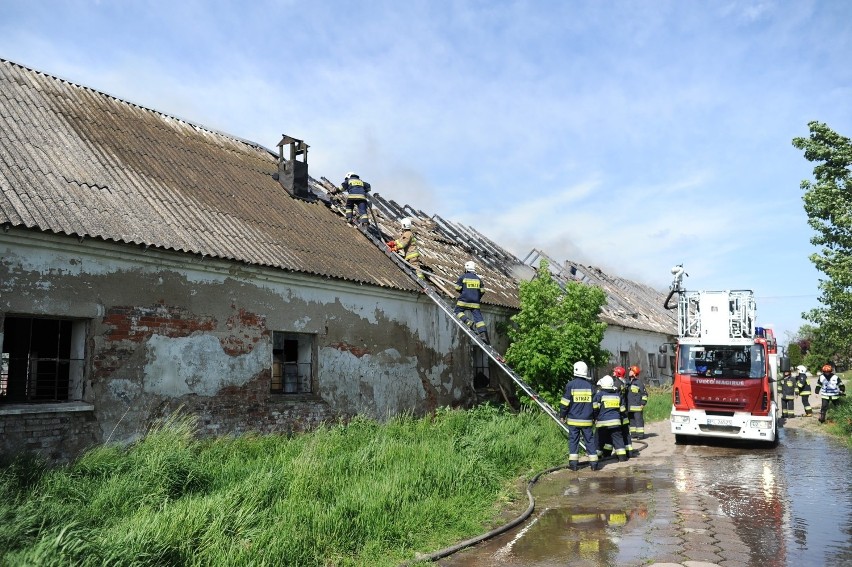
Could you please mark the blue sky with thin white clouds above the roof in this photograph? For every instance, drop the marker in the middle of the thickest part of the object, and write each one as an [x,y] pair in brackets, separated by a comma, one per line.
[627,135]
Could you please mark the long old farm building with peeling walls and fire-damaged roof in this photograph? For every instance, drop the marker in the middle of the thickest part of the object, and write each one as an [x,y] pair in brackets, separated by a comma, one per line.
[150,264]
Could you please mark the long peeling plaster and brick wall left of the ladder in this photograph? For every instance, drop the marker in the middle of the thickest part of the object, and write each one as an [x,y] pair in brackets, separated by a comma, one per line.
[169,330]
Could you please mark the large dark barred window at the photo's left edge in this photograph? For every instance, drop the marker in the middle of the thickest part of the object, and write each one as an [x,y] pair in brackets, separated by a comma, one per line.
[42,360]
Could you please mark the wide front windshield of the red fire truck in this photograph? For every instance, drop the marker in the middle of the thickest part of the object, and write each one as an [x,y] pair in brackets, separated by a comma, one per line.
[740,361]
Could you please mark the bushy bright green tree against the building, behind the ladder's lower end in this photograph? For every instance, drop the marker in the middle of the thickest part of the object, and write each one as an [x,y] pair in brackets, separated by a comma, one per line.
[555,328]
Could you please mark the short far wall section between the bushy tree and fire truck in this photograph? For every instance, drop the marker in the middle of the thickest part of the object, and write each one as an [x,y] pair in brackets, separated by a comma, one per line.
[638,344]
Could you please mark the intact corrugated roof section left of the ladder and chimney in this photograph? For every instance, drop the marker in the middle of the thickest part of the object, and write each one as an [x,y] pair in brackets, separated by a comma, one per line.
[80,162]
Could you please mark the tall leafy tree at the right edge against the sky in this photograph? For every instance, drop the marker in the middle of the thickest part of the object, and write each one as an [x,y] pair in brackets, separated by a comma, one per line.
[828,204]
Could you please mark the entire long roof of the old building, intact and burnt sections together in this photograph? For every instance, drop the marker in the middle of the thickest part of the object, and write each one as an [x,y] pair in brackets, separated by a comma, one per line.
[77,161]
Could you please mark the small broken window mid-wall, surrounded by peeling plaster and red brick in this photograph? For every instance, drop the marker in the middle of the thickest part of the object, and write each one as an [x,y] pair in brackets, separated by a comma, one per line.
[292,363]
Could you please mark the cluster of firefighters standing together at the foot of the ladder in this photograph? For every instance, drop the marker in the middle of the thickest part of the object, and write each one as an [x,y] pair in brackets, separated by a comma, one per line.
[607,416]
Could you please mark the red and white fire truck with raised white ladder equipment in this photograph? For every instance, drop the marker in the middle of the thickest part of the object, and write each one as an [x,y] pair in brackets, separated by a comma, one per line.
[724,371]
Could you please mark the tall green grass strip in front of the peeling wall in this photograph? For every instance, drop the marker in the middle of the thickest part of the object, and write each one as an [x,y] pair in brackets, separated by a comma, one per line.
[358,494]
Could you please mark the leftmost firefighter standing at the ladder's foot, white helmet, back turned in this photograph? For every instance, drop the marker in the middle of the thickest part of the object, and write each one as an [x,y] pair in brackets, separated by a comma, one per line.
[577,411]
